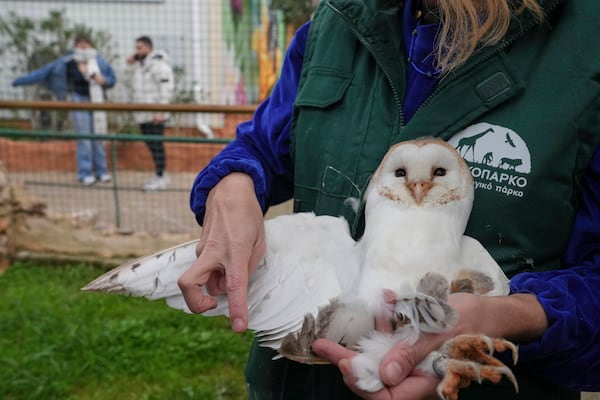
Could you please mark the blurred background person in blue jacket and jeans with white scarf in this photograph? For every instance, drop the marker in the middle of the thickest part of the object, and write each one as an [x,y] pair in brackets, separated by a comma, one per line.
[83,75]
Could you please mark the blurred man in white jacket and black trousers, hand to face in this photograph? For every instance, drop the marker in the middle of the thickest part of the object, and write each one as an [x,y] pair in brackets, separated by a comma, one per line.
[153,82]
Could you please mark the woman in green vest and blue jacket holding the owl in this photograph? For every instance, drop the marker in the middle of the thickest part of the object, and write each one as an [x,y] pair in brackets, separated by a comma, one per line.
[513,85]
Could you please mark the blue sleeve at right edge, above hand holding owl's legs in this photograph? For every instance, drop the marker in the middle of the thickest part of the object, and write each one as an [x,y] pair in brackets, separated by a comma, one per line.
[568,354]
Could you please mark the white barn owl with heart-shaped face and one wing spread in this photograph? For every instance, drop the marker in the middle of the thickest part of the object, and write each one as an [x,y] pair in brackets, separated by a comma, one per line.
[316,281]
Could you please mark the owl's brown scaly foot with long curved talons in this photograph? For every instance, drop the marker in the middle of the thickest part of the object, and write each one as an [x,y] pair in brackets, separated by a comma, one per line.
[468,358]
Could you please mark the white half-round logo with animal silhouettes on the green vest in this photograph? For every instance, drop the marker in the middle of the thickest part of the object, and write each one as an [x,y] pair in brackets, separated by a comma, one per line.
[498,157]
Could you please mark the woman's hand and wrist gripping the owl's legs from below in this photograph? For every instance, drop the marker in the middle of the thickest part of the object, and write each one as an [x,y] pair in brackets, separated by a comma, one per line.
[518,317]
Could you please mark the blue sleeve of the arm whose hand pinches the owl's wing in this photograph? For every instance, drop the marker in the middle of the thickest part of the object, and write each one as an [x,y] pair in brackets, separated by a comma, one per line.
[261,148]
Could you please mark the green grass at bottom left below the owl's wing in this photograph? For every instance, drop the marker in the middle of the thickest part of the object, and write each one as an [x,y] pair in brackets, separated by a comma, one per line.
[57,342]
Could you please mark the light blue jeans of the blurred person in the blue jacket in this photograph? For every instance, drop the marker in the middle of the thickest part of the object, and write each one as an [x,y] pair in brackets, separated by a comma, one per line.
[91,154]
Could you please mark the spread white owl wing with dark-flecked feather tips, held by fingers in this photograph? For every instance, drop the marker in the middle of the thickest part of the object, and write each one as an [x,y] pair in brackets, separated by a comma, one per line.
[308,261]
